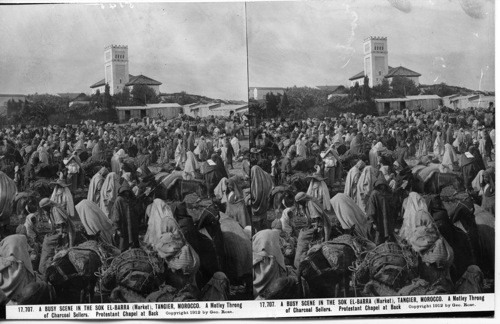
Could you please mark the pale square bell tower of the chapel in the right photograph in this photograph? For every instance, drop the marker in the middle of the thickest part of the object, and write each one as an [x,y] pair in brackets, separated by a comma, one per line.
[376,62]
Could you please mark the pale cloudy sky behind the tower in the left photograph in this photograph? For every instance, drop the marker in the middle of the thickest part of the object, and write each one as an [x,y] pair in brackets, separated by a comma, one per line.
[198,48]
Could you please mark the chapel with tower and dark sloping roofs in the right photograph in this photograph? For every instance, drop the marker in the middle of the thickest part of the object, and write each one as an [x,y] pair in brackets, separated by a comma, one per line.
[376,64]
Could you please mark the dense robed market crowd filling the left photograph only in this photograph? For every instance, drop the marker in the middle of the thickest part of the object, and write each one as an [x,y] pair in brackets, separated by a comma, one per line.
[105,210]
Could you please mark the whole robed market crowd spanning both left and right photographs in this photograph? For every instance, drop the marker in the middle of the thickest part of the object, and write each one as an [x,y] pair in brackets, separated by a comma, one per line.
[183,209]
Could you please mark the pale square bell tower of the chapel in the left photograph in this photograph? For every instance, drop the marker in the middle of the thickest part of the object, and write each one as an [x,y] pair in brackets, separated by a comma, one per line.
[116,67]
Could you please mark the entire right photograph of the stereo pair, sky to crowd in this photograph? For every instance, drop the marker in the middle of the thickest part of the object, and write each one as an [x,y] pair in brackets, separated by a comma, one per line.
[372,149]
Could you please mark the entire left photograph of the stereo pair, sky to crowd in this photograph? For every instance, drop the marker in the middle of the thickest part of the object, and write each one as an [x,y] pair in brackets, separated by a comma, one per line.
[124,154]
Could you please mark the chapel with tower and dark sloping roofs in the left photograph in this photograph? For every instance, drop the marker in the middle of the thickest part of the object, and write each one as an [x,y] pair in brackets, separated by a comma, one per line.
[116,72]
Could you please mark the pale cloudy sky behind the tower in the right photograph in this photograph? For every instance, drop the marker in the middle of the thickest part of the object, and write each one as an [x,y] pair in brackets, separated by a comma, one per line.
[320,42]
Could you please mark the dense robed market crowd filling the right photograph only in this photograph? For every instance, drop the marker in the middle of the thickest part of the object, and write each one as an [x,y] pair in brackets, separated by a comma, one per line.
[373,206]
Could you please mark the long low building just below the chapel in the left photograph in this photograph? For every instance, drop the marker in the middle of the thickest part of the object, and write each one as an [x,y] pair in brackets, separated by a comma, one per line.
[165,110]
